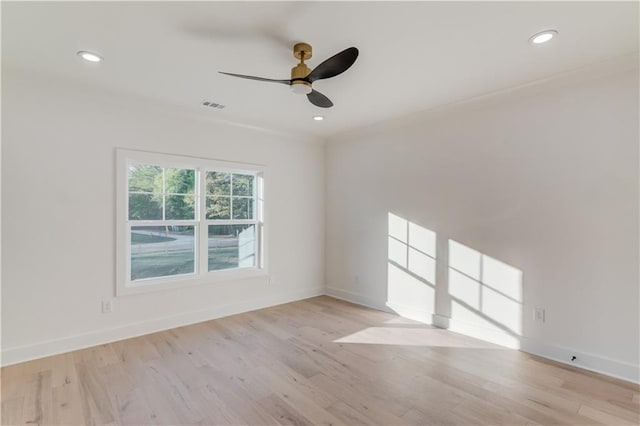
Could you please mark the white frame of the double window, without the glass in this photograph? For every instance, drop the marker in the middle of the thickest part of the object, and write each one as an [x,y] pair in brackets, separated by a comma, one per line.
[201,275]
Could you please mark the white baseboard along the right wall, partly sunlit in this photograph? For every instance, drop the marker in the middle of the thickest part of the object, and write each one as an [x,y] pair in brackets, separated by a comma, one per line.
[598,364]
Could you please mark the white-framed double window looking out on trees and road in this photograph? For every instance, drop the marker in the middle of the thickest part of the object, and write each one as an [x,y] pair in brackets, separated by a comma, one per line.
[184,220]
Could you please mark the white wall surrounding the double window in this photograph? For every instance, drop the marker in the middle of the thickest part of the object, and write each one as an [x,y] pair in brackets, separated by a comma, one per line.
[58,198]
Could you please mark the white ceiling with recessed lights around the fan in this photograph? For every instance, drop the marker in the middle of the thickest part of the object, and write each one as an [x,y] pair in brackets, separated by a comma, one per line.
[413,55]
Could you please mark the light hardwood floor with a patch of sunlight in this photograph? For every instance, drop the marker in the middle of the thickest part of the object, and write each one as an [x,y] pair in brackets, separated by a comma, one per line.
[317,361]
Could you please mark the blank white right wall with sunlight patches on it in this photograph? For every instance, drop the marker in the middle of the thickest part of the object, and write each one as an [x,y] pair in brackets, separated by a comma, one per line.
[543,178]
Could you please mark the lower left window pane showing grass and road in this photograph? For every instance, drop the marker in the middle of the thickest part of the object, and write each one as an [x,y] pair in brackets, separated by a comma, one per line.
[161,251]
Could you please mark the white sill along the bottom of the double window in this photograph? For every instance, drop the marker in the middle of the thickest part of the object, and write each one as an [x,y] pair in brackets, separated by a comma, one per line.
[154,285]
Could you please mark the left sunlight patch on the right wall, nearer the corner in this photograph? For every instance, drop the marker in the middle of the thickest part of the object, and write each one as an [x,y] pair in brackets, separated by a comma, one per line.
[411,269]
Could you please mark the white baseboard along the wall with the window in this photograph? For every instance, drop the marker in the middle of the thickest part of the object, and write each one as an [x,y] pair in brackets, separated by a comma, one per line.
[80,341]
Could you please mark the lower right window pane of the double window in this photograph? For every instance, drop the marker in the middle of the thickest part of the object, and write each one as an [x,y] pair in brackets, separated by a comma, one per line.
[231,246]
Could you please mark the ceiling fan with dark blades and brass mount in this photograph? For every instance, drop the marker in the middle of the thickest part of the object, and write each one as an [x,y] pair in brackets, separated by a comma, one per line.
[302,77]
